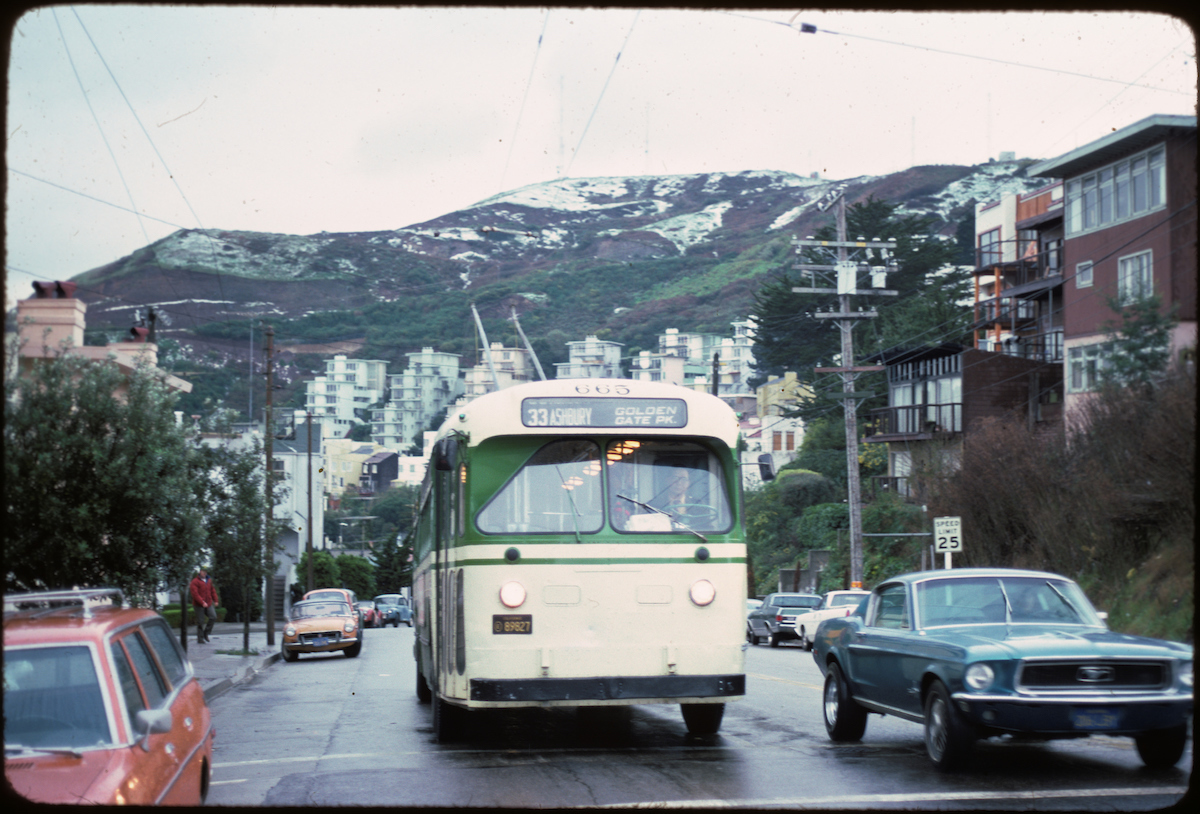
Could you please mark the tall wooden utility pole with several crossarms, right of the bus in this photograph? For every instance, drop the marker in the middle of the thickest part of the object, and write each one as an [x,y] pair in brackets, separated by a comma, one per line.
[847,273]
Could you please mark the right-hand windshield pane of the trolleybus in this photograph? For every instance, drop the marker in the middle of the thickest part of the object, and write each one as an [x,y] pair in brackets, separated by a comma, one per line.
[664,487]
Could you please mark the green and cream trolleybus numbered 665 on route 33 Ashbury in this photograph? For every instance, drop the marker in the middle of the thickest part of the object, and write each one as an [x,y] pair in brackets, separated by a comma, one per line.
[580,543]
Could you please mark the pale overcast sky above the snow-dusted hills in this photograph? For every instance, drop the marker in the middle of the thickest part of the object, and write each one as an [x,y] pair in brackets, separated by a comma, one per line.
[301,121]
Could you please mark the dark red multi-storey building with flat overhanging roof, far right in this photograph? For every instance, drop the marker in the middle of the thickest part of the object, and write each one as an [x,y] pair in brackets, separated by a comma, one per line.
[1130,231]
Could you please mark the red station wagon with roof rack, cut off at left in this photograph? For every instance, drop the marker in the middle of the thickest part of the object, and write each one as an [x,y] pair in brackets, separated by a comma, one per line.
[101,704]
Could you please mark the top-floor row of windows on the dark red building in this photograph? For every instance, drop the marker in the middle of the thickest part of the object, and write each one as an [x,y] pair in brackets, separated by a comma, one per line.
[1118,193]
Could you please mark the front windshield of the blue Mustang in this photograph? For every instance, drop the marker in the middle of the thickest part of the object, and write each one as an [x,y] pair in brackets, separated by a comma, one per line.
[998,601]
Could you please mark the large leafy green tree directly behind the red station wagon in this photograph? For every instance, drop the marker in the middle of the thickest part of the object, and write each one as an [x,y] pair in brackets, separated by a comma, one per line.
[97,481]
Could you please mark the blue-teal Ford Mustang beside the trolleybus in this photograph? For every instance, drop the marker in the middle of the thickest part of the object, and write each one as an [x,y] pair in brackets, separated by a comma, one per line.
[974,654]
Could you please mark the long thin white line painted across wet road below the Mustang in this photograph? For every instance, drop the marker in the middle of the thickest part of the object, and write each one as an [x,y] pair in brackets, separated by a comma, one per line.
[867,800]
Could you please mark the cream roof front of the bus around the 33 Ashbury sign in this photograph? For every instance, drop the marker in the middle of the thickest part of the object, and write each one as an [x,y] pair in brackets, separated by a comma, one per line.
[614,406]
